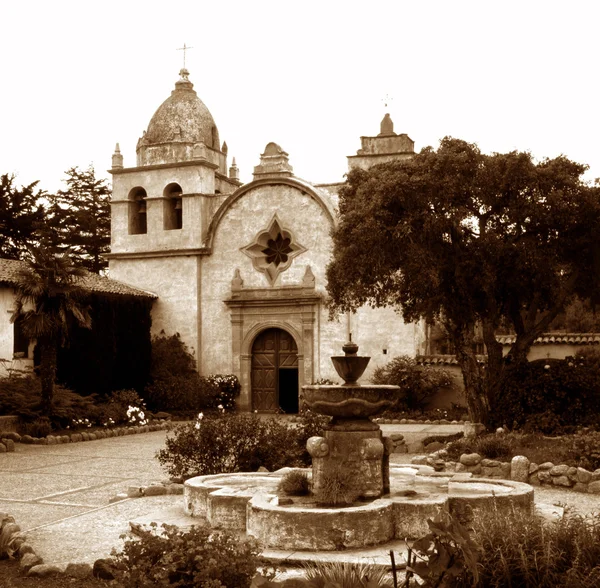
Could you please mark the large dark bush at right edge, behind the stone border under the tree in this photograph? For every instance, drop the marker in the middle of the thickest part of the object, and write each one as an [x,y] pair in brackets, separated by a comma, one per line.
[550,395]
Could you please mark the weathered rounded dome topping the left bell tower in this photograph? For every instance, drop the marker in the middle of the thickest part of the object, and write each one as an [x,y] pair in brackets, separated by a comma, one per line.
[181,119]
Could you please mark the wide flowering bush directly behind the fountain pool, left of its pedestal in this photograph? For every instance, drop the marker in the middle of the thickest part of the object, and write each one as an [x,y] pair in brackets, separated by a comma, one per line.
[218,443]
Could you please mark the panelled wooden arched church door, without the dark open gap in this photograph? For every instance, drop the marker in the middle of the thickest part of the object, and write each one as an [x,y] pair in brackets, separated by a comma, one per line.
[273,349]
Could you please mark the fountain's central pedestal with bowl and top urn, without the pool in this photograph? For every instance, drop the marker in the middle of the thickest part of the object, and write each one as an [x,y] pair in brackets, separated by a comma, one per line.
[352,448]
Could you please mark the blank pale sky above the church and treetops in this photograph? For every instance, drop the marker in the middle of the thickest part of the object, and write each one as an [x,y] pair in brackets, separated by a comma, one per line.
[312,76]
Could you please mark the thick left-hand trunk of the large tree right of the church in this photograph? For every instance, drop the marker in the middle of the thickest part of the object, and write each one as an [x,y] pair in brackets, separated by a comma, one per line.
[473,374]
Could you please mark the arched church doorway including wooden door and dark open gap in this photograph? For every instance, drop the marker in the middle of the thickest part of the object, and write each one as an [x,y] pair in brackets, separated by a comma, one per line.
[275,372]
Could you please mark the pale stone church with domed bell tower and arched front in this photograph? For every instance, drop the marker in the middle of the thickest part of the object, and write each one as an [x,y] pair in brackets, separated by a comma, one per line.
[239,269]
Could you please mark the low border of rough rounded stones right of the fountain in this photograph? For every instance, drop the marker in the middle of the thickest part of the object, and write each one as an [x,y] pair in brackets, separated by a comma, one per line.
[519,469]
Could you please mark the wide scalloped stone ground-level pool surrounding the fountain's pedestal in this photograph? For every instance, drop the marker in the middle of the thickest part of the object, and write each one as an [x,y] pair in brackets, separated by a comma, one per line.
[249,503]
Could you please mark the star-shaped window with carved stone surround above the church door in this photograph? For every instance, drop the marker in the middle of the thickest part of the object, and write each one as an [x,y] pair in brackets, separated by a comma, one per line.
[273,250]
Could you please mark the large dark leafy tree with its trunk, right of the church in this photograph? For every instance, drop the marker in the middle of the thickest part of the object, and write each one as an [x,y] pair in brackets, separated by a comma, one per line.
[471,240]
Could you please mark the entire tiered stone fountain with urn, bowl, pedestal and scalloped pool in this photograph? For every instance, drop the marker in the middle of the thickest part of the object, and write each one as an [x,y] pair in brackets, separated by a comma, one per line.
[389,502]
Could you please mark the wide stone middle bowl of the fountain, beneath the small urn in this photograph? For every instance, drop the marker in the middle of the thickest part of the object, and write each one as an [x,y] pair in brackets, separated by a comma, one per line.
[350,401]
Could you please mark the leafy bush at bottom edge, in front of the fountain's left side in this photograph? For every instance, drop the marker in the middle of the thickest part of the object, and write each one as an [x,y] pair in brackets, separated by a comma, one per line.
[197,558]
